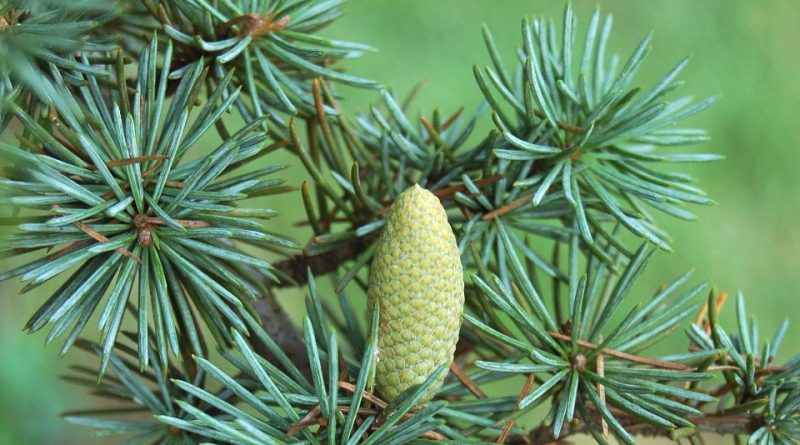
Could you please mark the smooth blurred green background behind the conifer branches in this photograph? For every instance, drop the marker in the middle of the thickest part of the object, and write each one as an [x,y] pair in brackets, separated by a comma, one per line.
[744,51]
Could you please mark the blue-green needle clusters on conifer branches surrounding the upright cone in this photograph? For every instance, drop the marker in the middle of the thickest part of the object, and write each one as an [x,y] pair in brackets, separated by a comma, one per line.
[164,241]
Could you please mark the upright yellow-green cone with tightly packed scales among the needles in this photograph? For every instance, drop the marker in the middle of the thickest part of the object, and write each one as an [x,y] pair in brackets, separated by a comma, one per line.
[418,280]
